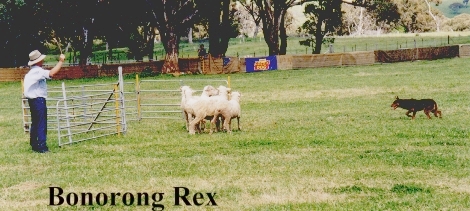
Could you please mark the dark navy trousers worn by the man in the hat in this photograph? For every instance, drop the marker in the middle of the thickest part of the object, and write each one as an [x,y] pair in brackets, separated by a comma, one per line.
[38,129]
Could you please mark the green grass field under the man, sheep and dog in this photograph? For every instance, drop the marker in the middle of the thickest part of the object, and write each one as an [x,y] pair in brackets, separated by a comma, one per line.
[312,139]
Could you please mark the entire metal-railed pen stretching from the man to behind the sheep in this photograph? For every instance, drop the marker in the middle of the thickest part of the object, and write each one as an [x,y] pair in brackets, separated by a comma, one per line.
[86,112]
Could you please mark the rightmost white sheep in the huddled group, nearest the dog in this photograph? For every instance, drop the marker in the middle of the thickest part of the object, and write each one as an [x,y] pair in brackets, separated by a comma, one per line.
[229,110]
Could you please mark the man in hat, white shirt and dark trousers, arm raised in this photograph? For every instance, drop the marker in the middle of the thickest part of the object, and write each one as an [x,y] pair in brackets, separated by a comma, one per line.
[35,90]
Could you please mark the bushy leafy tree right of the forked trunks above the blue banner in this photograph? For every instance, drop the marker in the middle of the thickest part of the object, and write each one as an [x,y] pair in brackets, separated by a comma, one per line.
[324,18]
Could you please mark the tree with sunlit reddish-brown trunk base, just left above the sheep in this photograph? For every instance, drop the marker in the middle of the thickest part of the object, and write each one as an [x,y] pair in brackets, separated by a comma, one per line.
[172,19]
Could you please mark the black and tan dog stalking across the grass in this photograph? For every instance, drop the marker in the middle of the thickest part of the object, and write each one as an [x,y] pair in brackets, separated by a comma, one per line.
[414,105]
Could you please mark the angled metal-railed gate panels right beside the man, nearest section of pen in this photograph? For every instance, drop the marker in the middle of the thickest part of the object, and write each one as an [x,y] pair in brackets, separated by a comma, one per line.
[86,112]
